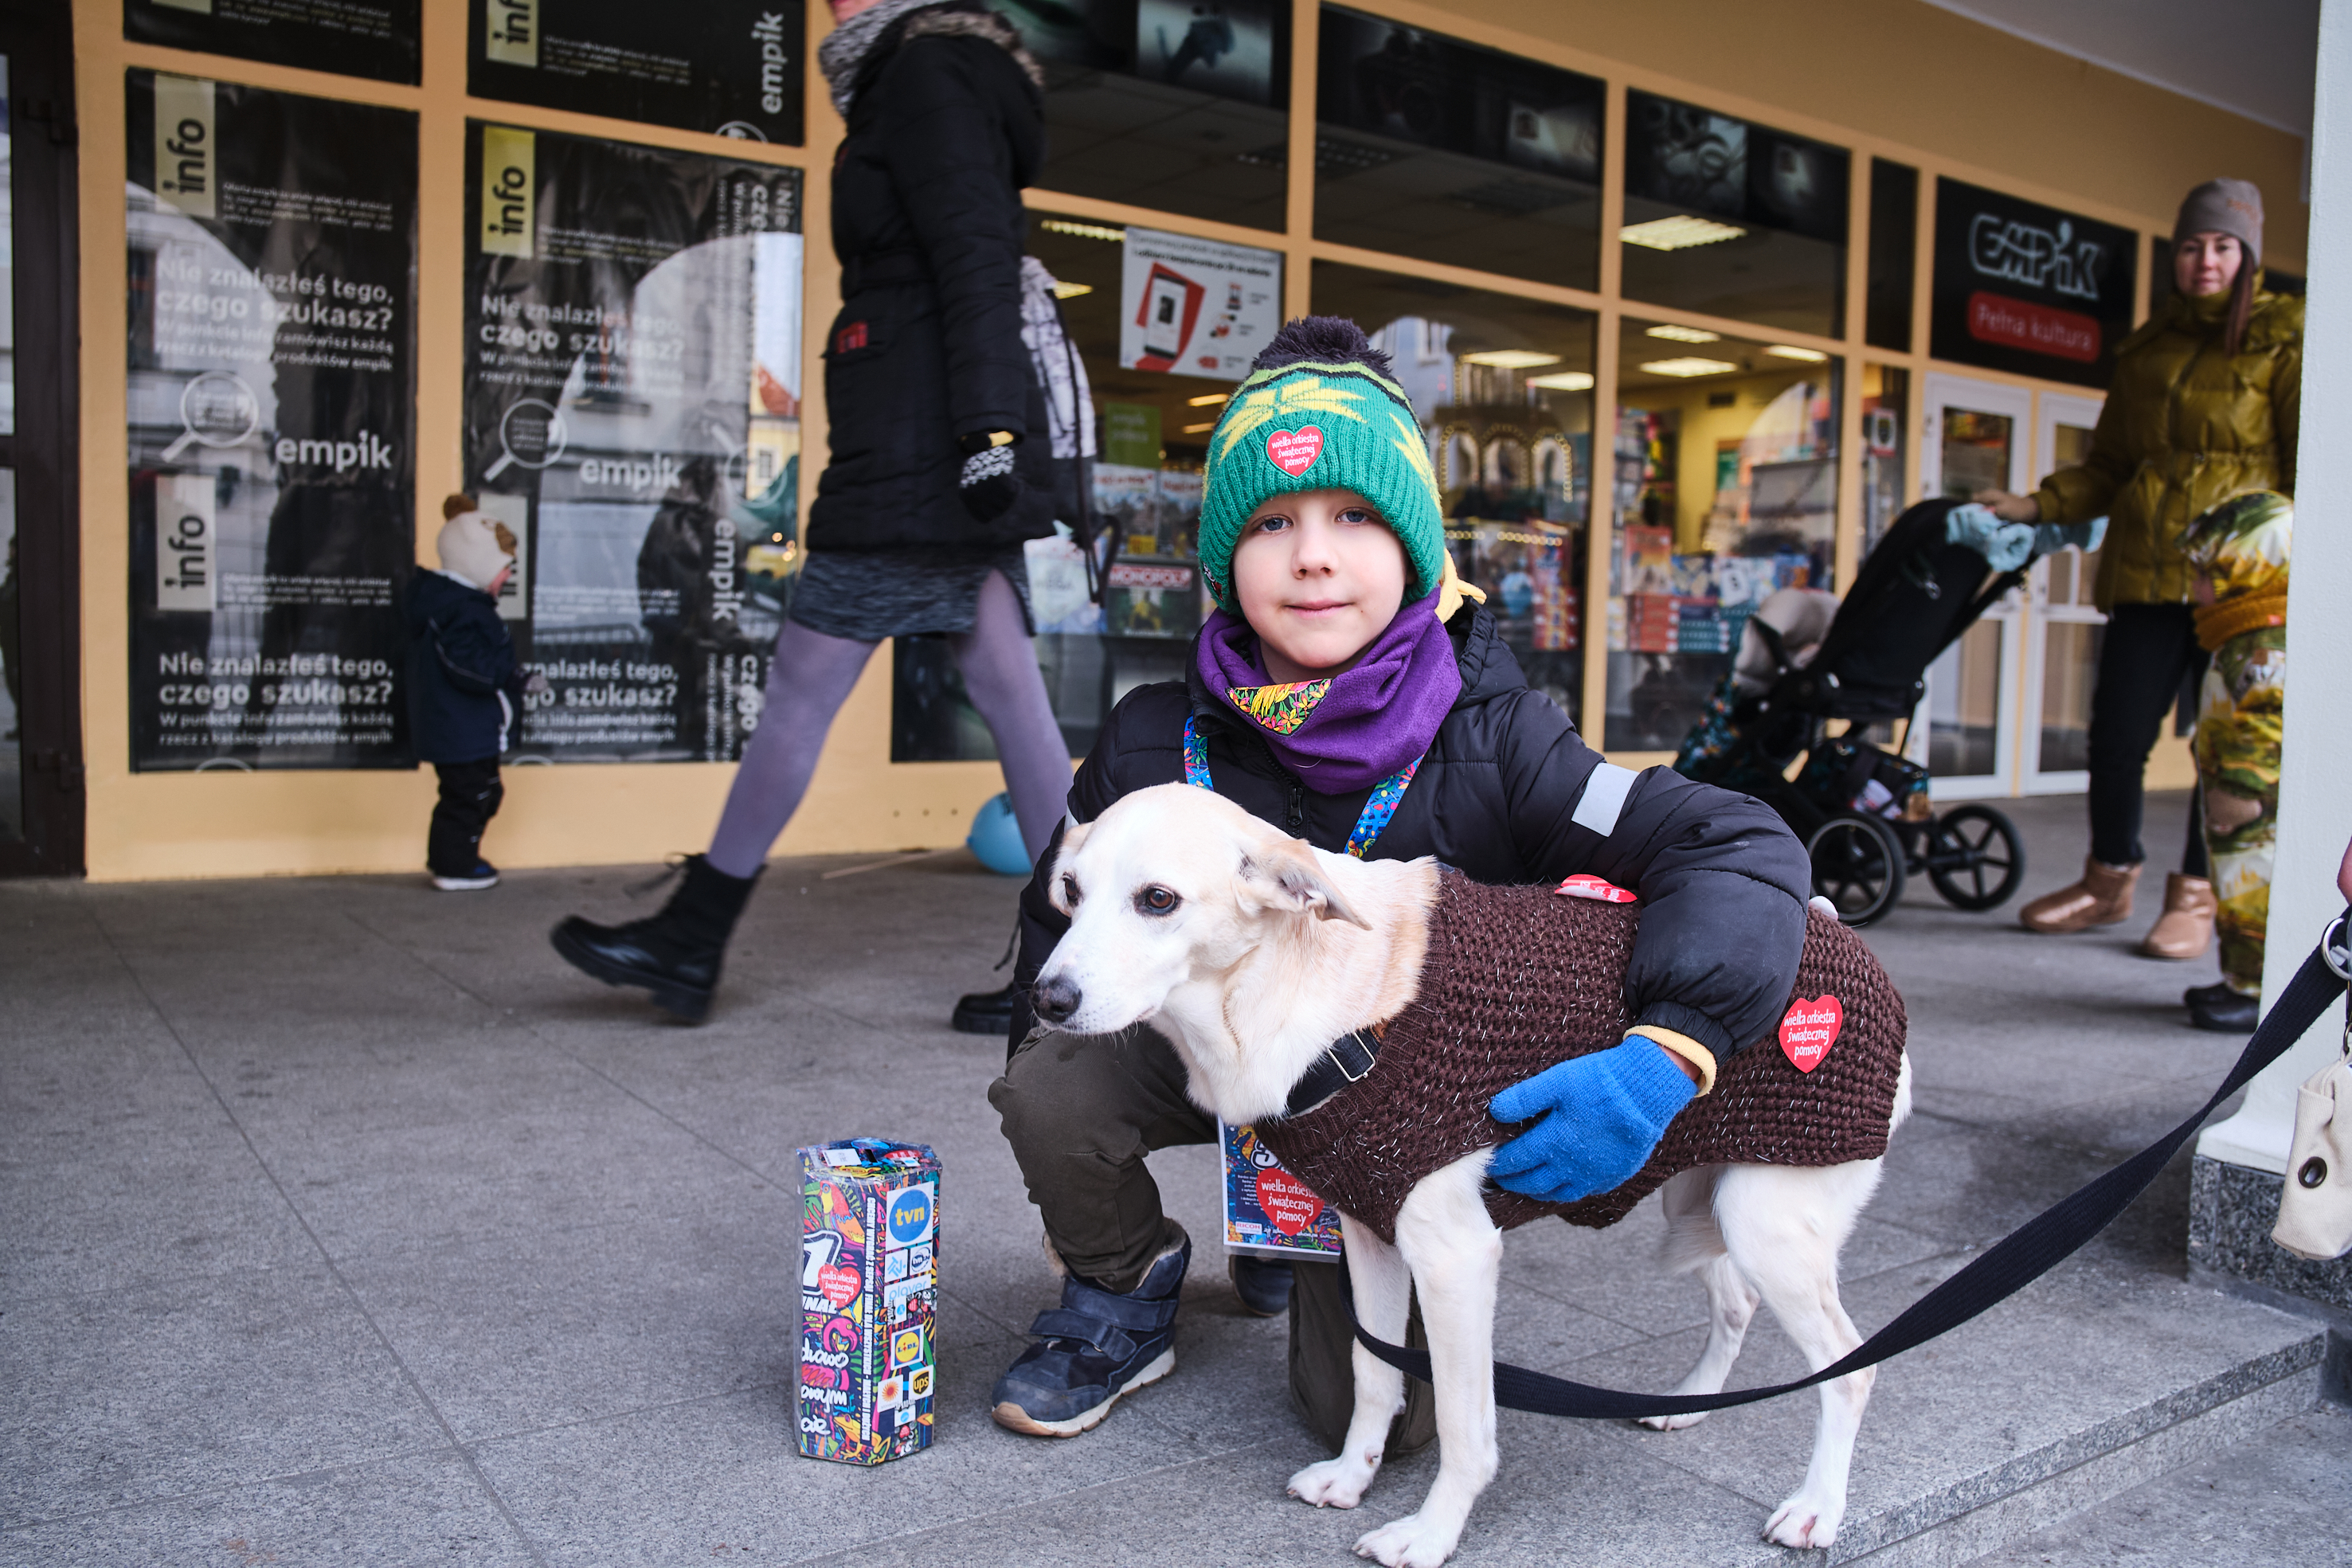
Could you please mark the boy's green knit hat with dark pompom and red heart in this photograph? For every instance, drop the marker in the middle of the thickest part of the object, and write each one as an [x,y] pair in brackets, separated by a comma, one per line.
[1321,413]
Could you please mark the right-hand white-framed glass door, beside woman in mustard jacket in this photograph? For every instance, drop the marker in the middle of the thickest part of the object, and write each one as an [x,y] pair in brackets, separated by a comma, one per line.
[2062,645]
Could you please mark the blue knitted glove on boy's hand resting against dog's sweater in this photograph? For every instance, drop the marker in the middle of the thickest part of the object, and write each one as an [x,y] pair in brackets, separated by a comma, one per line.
[1603,1115]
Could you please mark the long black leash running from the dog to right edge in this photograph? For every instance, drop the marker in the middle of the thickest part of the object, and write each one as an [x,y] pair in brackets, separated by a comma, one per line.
[2000,1273]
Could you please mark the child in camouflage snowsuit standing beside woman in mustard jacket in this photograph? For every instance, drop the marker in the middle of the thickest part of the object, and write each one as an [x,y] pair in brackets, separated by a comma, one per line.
[2240,554]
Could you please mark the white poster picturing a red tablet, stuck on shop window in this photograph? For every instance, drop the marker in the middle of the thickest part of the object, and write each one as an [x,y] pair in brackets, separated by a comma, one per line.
[1196,307]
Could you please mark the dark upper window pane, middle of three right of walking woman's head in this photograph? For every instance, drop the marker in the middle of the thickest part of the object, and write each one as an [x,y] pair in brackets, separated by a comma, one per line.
[1445,152]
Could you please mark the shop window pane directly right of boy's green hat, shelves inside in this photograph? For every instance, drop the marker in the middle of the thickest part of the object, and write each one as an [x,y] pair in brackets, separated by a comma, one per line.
[1504,391]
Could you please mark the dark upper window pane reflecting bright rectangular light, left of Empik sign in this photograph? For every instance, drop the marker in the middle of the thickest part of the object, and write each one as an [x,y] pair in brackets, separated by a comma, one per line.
[1735,220]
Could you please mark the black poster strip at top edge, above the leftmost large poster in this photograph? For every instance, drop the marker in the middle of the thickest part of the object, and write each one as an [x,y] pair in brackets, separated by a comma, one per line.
[375,39]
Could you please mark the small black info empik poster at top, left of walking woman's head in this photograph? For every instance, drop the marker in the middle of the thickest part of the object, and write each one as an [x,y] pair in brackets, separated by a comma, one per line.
[726,67]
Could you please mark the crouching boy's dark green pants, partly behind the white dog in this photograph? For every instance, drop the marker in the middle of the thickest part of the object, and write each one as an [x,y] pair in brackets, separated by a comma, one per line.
[1081,1115]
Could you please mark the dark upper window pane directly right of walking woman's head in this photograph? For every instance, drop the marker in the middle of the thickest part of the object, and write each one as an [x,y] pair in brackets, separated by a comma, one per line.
[1165,105]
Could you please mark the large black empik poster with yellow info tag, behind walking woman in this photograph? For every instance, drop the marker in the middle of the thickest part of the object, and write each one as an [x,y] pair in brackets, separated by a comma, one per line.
[634,417]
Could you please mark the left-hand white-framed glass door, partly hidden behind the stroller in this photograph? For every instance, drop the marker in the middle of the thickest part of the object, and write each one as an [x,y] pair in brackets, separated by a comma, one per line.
[1975,436]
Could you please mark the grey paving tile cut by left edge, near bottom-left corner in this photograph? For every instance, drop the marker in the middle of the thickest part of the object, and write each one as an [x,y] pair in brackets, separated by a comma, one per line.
[149,1393]
